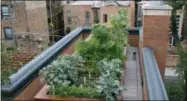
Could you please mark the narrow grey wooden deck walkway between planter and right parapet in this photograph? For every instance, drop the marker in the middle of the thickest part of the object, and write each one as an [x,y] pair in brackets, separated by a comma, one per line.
[132,80]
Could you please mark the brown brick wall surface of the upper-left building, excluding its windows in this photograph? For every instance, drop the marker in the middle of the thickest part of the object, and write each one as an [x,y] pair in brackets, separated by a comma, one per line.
[29,15]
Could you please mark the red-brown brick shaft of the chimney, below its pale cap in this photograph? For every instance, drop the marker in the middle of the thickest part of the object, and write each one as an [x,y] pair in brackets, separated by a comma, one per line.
[156,35]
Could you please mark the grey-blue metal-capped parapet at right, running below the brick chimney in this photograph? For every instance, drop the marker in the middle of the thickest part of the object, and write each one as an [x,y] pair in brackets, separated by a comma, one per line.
[154,83]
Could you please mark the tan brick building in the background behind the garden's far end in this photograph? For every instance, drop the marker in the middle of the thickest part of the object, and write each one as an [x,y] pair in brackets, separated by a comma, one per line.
[85,13]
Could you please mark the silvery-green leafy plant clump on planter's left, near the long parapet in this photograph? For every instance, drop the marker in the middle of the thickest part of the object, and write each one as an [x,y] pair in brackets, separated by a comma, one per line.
[64,70]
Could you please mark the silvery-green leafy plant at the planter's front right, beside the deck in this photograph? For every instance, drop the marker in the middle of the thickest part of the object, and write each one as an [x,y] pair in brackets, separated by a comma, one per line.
[109,82]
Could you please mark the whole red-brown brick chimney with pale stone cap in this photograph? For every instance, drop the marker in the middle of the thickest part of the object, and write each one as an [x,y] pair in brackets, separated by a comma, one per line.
[155,28]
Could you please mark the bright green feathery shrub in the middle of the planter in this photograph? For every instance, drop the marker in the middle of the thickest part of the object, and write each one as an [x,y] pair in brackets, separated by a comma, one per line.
[101,46]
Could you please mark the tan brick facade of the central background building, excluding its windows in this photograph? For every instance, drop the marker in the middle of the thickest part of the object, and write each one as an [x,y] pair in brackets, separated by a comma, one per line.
[79,12]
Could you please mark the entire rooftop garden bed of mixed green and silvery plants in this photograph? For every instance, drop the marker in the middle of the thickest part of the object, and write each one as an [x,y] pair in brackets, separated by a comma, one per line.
[95,69]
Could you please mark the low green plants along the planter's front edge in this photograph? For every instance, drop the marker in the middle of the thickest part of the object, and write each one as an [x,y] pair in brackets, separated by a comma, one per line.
[74,91]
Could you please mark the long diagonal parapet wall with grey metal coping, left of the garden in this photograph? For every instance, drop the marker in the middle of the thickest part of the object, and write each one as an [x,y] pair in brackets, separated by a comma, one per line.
[25,77]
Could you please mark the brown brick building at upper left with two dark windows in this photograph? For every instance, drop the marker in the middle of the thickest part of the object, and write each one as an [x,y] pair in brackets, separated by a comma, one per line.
[28,18]
